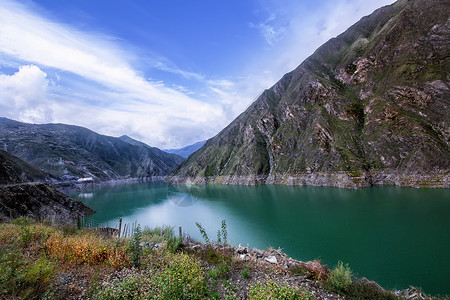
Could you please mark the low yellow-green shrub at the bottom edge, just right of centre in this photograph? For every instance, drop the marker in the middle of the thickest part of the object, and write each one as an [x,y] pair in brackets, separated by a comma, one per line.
[273,290]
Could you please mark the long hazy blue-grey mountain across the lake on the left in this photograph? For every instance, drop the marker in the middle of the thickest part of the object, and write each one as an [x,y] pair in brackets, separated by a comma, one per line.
[71,152]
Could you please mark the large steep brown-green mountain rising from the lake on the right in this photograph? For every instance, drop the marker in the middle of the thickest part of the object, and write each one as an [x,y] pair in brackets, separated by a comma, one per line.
[370,106]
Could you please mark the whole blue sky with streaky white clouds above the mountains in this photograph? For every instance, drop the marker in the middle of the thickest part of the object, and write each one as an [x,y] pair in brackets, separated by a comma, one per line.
[169,73]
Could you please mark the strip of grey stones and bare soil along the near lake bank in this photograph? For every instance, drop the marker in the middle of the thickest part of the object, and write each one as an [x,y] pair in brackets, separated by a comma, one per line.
[273,264]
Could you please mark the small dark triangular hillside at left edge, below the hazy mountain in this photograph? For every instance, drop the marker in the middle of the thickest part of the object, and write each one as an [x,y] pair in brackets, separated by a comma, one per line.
[14,170]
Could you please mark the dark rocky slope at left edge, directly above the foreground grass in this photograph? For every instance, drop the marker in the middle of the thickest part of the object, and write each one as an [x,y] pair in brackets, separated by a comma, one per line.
[40,202]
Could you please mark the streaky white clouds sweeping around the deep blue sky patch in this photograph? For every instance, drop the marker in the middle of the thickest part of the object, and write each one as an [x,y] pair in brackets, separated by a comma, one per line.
[122,101]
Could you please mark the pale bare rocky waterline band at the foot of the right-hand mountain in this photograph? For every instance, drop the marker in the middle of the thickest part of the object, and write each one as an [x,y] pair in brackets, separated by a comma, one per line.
[354,180]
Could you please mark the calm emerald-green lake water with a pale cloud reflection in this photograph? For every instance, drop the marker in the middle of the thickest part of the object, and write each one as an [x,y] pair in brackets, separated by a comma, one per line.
[395,236]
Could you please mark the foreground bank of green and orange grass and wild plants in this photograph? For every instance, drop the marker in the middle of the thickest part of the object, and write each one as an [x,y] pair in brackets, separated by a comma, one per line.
[35,257]
